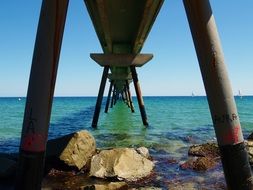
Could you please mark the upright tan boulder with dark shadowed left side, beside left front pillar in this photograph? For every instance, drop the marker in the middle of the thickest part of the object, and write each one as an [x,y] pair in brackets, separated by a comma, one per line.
[75,149]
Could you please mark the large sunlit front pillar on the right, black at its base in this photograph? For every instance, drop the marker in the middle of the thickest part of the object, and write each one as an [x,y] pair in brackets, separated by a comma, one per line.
[219,94]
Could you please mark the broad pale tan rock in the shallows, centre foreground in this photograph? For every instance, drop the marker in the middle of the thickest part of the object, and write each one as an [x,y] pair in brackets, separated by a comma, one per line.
[123,163]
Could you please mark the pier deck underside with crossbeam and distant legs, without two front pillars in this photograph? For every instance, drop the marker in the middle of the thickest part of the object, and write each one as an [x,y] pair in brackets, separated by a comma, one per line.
[122,27]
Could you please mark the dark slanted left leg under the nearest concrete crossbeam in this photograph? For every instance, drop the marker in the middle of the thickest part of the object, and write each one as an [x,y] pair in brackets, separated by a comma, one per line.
[100,97]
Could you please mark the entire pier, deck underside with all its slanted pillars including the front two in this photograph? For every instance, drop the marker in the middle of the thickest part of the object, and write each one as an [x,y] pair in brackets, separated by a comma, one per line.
[122,27]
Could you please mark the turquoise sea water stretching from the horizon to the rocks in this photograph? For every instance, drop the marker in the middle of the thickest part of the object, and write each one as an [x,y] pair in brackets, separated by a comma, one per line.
[175,124]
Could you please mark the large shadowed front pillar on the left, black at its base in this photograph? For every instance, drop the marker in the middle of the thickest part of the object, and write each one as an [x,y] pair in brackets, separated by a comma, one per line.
[40,94]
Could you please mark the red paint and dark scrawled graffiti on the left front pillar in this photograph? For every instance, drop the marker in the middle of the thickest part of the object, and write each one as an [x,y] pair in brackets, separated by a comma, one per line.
[32,140]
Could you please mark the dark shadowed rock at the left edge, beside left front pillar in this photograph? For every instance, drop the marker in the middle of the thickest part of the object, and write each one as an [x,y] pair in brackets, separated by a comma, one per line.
[7,167]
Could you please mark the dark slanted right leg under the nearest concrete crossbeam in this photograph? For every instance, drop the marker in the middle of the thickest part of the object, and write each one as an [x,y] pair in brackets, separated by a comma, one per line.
[139,96]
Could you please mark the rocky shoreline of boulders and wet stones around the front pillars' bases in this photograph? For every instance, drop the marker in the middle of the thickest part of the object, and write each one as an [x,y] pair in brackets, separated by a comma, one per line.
[74,162]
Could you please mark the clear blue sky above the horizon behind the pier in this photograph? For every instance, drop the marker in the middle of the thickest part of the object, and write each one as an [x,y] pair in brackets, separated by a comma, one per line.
[174,69]
